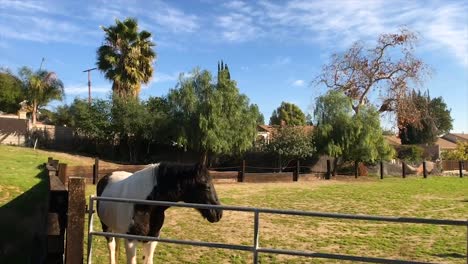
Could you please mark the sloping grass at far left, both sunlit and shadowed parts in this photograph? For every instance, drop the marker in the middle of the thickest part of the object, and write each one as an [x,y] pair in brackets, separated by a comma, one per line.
[23,189]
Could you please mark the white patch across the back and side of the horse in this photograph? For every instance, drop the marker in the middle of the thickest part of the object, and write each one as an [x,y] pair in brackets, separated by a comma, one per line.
[119,216]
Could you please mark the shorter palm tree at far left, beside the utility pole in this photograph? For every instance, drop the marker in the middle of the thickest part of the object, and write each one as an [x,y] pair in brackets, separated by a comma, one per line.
[40,88]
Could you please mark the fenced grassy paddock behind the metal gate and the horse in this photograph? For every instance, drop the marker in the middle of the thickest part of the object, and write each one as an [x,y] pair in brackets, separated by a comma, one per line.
[436,197]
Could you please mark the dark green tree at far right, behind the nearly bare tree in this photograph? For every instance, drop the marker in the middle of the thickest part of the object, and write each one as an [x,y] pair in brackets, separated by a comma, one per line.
[434,120]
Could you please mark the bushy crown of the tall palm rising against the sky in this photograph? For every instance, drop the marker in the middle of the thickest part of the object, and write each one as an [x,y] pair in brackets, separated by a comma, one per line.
[126,57]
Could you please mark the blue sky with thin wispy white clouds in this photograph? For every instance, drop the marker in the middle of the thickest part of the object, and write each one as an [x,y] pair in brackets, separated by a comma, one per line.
[274,49]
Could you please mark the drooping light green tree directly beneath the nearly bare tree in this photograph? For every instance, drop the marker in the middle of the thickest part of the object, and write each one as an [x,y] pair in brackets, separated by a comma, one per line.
[341,134]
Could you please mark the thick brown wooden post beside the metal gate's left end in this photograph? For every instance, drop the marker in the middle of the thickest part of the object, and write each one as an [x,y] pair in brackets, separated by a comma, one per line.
[75,224]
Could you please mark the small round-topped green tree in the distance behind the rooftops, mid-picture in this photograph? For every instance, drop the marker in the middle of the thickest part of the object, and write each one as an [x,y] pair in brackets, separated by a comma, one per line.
[290,113]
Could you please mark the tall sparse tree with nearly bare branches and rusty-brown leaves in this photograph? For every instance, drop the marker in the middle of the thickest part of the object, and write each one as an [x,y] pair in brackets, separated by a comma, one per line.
[389,69]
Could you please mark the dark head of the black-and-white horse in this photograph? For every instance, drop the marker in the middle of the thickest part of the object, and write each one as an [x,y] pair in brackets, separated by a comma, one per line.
[203,192]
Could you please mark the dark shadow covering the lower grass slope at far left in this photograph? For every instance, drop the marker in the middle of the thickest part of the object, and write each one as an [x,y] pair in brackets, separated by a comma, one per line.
[23,225]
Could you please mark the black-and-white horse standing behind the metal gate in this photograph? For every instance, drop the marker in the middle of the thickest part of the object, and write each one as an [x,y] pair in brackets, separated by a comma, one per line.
[163,182]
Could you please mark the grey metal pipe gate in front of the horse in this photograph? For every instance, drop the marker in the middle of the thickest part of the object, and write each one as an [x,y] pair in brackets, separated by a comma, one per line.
[255,248]
